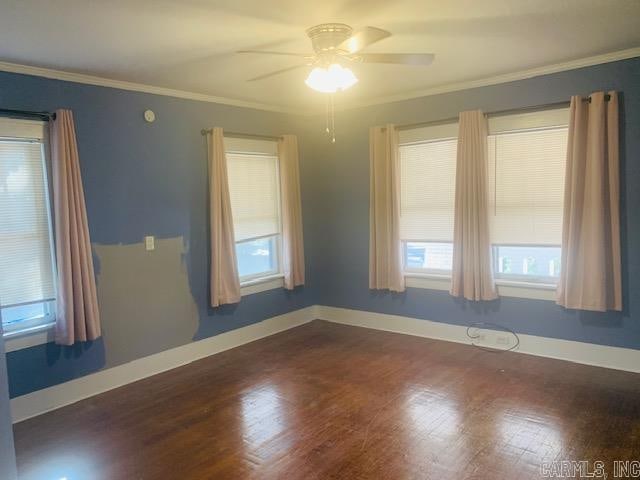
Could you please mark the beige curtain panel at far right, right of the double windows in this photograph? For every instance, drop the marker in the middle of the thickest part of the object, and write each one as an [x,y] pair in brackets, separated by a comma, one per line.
[590,276]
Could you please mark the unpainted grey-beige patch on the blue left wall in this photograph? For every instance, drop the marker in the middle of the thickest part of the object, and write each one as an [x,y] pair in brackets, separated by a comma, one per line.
[145,302]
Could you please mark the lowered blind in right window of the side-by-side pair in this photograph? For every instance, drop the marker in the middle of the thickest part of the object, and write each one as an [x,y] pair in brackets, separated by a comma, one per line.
[526,178]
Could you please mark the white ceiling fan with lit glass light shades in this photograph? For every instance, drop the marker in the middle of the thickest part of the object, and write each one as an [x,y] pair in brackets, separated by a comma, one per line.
[335,47]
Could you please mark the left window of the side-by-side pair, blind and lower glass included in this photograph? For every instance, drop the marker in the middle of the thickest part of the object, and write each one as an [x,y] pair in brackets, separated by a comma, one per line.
[427,193]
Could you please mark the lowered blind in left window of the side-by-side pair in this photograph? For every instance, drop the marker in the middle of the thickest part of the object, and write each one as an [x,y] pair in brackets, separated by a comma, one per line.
[427,190]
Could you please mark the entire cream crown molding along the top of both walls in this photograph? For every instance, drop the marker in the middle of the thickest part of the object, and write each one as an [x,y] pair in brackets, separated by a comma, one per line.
[446,88]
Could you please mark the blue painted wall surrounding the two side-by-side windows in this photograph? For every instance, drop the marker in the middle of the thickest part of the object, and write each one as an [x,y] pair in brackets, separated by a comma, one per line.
[343,273]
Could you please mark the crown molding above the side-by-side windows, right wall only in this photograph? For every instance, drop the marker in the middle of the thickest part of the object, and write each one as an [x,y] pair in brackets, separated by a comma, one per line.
[504,78]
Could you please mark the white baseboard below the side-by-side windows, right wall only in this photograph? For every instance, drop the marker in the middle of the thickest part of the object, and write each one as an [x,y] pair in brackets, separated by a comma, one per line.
[578,352]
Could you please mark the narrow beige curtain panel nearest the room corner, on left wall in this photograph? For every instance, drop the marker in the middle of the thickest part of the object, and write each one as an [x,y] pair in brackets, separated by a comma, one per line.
[292,239]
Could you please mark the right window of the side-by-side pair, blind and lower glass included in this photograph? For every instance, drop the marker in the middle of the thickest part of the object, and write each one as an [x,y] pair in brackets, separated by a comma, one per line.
[527,155]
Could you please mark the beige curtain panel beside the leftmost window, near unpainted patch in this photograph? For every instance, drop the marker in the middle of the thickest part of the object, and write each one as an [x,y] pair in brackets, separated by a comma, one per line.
[77,314]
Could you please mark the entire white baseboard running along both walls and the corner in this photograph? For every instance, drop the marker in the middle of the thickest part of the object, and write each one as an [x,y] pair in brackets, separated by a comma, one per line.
[57,396]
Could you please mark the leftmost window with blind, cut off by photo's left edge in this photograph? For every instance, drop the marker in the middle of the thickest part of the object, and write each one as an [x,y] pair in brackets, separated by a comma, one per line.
[27,279]
